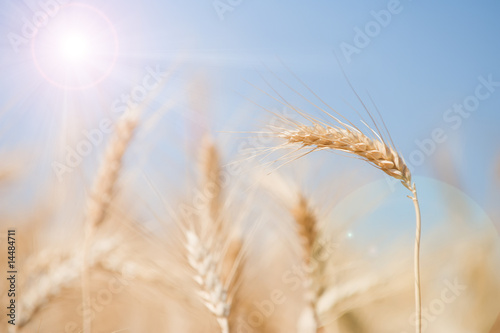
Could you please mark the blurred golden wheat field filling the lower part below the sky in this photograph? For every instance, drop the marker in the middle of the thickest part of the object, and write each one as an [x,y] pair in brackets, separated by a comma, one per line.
[245,246]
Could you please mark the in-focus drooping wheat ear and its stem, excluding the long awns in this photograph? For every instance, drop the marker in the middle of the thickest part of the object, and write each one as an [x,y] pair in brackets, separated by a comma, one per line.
[350,139]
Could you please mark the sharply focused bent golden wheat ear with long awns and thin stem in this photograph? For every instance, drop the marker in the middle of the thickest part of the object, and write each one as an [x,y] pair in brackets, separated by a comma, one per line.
[345,137]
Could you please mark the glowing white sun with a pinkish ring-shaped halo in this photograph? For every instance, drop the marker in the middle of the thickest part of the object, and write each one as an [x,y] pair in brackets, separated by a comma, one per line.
[77,49]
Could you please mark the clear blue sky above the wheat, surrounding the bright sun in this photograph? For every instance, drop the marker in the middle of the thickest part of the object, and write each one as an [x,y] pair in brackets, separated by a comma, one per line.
[428,57]
